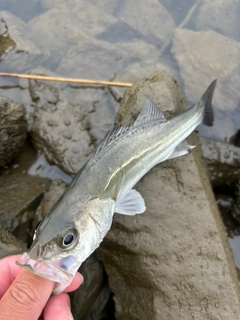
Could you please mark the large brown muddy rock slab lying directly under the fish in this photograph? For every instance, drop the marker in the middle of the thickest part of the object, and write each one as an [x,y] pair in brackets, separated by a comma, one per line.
[170,263]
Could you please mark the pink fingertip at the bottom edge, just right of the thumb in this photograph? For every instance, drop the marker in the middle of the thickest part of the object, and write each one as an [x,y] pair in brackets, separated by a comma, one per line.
[58,307]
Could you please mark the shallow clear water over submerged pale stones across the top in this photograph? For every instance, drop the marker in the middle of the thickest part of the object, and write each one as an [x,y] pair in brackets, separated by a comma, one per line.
[80,39]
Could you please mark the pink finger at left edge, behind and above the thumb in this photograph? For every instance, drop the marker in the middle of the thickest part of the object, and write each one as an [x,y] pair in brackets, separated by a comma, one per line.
[9,271]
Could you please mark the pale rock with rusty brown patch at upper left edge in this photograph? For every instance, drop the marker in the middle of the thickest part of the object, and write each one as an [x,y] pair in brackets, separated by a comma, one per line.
[18,52]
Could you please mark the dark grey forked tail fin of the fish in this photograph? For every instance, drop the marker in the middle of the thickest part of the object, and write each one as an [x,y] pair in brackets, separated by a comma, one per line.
[206,103]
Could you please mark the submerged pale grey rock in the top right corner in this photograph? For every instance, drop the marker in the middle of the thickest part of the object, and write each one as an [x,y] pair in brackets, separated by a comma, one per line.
[211,15]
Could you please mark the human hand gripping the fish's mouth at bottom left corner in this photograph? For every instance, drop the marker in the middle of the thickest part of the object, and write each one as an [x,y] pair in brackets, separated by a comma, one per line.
[26,296]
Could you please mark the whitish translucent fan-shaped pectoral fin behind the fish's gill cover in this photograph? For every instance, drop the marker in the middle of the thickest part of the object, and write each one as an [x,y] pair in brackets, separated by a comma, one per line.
[130,204]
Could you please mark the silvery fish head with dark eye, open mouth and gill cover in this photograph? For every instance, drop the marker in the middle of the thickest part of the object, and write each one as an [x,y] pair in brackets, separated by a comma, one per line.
[63,241]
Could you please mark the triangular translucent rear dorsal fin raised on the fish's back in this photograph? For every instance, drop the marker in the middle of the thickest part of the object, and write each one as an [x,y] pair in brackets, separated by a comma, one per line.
[149,112]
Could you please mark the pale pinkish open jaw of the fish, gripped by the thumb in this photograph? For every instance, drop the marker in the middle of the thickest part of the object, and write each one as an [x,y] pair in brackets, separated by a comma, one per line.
[51,270]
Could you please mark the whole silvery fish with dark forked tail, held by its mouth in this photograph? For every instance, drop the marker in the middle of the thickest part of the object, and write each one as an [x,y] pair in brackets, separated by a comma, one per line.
[81,218]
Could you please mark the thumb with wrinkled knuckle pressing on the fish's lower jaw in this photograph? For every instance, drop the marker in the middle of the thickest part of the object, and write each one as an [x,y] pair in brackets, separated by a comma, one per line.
[26,297]
